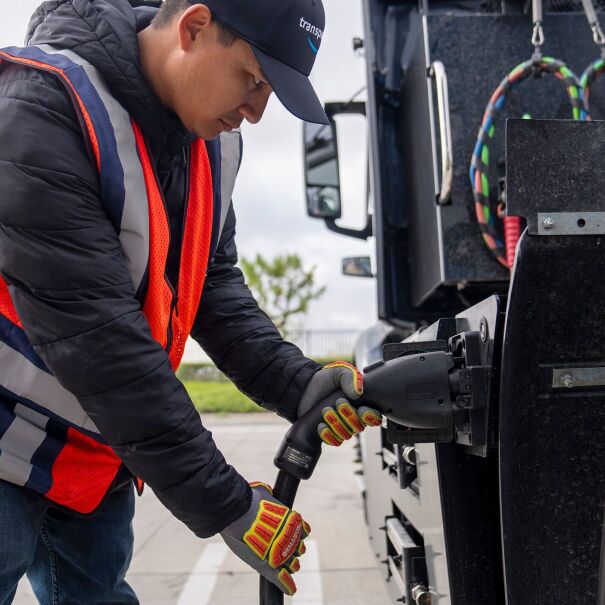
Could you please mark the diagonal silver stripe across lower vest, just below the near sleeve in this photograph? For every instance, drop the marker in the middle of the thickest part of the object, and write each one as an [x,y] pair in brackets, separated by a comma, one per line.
[21,377]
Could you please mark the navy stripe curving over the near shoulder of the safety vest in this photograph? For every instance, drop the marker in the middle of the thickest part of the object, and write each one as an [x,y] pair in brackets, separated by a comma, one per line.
[111,173]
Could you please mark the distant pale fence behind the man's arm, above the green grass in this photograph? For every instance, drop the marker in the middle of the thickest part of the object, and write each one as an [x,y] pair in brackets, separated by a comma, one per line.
[332,344]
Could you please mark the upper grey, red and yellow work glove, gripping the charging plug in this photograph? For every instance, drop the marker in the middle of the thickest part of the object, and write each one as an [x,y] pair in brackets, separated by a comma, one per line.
[341,421]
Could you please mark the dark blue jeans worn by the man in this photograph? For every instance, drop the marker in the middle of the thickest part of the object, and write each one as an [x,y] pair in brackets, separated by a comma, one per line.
[70,559]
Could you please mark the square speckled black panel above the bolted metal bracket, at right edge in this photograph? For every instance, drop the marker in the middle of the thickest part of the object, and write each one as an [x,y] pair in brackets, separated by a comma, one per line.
[555,166]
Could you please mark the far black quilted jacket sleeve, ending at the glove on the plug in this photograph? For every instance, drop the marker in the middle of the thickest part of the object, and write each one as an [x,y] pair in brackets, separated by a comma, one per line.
[241,339]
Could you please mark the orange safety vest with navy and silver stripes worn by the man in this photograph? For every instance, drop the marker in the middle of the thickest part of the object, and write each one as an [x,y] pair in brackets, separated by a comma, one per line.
[62,454]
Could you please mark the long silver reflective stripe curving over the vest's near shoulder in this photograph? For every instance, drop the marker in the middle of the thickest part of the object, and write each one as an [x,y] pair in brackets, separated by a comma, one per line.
[134,228]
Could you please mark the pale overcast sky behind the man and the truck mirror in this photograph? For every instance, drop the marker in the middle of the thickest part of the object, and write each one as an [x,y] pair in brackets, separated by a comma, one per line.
[269,196]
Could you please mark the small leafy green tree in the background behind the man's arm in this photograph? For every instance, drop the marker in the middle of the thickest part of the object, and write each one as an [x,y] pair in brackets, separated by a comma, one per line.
[283,287]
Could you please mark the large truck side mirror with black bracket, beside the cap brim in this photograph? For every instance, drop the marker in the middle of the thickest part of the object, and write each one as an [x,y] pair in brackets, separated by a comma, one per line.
[322,171]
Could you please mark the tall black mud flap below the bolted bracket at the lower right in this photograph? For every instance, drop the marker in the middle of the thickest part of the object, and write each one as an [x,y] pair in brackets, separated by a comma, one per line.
[552,445]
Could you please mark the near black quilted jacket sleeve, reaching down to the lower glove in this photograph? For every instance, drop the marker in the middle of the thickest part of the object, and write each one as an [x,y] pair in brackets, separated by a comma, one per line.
[67,277]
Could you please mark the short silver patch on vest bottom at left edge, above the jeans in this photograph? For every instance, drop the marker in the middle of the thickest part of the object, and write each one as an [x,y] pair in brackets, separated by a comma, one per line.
[19,443]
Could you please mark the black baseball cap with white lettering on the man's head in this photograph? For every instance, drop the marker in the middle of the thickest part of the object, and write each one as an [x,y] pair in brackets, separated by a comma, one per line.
[285,36]
